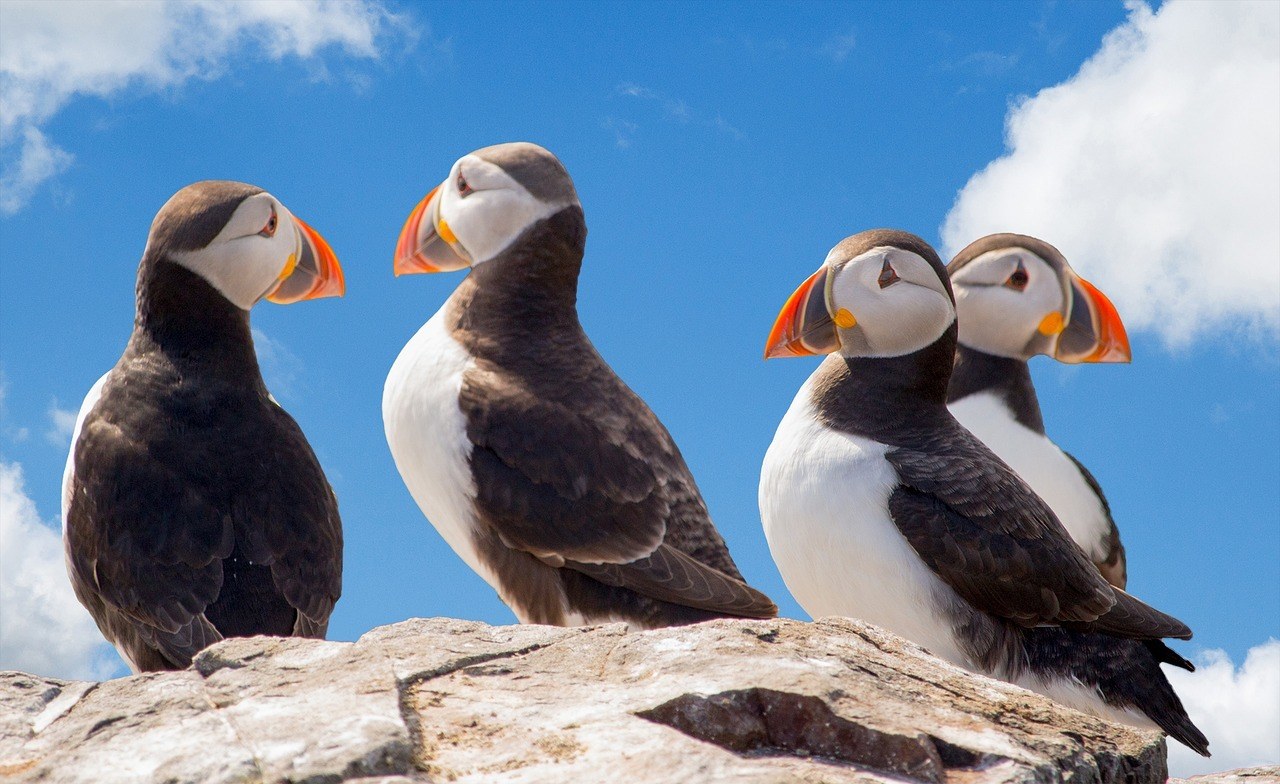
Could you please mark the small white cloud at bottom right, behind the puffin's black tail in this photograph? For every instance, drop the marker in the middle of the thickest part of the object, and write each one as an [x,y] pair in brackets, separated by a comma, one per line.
[1237,709]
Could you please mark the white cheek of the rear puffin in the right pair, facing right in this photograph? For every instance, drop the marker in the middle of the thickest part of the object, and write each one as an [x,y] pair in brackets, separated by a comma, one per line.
[999,320]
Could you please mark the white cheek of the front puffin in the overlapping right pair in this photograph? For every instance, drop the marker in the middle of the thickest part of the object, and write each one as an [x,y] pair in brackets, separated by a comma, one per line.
[902,318]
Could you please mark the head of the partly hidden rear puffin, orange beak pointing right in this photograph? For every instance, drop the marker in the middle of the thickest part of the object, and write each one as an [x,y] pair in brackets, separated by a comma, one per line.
[1017,298]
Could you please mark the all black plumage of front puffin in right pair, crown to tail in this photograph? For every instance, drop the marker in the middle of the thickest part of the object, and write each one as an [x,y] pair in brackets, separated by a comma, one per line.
[1032,601]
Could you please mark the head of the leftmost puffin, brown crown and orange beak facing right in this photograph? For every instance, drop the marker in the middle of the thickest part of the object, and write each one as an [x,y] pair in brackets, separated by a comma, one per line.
[245,244]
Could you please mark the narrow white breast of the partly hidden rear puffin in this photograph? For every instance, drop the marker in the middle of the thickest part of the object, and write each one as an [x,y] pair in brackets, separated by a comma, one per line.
[1043,466]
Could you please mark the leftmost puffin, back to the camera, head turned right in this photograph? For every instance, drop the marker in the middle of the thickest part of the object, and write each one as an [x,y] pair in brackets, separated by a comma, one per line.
[194,509]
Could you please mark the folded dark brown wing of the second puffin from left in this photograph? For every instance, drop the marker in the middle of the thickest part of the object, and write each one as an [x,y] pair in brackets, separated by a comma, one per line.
[601,489]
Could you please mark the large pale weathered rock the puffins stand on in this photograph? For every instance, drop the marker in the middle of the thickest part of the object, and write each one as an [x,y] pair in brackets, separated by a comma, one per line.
[455,701]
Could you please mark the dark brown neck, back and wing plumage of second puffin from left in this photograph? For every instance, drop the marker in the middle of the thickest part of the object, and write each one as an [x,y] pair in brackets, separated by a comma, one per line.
[582,493]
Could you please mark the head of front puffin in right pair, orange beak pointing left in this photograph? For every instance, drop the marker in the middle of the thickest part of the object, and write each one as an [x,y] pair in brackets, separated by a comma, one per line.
[880,294]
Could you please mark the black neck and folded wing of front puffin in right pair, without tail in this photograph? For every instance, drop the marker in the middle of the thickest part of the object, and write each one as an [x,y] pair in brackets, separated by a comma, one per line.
[966,513]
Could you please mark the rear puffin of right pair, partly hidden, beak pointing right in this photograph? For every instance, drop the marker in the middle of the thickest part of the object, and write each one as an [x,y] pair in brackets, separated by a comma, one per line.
[1017,298]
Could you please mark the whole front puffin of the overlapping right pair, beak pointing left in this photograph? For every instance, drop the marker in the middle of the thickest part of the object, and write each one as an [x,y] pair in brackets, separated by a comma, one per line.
[877,504]
